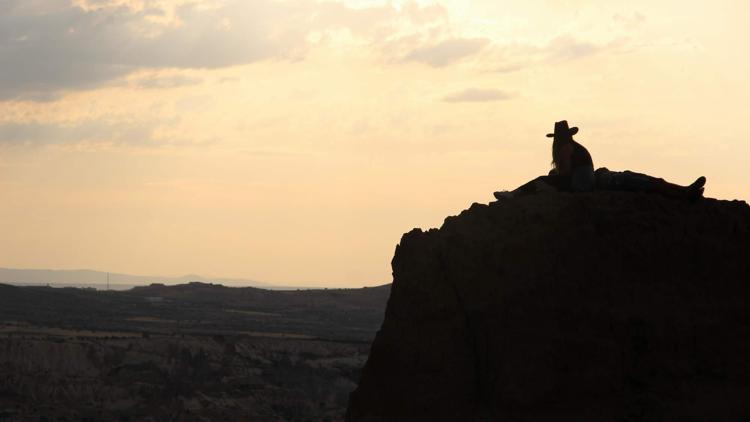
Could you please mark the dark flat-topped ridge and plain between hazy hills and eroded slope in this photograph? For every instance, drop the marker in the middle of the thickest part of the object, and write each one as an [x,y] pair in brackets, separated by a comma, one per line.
[198,308]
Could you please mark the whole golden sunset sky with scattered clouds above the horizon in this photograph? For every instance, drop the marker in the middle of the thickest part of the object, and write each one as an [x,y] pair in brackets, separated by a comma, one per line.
[294,142]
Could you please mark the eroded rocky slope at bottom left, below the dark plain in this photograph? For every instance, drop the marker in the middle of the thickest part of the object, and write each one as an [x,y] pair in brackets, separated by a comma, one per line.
[85,377]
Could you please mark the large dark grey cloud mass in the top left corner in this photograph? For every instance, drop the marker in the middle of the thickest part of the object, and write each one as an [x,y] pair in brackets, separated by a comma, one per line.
[69,48]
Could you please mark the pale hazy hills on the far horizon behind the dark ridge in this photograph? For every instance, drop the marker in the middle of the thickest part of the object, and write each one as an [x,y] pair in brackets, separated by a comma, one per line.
[98,279]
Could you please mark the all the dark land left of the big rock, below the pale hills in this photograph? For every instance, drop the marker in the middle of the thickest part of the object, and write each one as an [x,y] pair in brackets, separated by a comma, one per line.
[187,352]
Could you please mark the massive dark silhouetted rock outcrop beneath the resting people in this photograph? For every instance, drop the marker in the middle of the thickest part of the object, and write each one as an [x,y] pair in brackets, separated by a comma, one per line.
[608,306]
